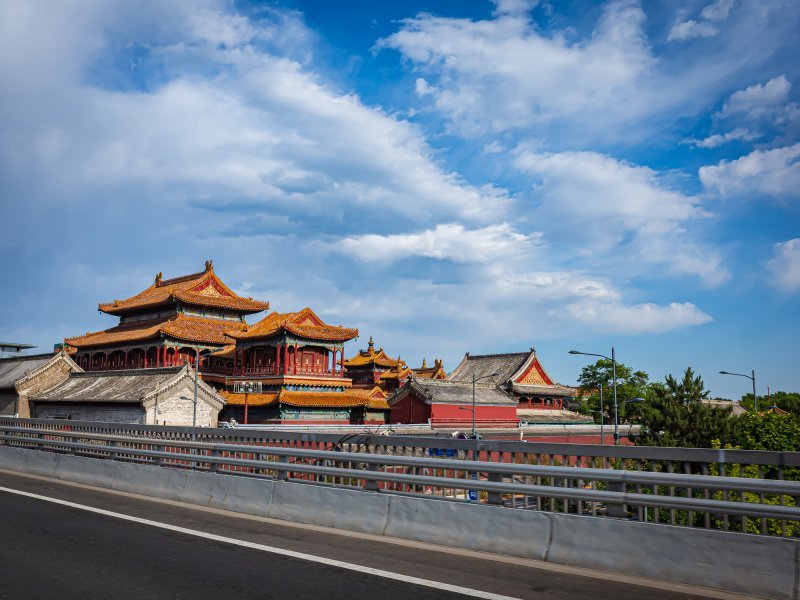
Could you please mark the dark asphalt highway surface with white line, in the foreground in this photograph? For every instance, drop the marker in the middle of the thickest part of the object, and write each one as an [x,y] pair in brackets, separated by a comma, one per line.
[72,541]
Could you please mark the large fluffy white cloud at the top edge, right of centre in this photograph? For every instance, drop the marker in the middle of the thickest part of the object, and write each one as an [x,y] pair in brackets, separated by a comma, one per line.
[504,73]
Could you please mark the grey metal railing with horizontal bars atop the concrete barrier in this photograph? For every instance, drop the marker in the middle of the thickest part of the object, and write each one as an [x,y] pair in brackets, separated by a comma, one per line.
[465,470]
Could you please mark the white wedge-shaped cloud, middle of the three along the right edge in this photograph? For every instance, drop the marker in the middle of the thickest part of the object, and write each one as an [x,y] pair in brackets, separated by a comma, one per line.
[764,172]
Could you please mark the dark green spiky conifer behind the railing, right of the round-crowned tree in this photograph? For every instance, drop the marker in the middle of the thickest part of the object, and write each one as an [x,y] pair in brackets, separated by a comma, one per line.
[674,414]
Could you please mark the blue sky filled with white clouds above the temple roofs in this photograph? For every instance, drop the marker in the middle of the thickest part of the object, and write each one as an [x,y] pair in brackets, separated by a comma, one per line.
[446,176]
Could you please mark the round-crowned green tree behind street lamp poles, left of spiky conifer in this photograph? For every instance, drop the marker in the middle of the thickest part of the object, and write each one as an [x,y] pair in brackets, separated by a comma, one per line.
[630,384]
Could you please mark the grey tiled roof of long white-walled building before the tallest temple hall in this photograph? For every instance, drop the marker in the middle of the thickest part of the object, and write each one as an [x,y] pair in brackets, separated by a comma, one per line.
[109,386]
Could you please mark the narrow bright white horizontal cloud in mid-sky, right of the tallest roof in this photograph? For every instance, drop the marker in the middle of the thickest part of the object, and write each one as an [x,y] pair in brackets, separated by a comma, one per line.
[445,242]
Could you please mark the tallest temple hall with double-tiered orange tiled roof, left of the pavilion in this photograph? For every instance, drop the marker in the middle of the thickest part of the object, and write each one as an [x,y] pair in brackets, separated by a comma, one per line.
[166,324]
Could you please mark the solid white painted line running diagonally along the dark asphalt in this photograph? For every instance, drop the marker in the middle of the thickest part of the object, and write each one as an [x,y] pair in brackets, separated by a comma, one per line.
[438,585]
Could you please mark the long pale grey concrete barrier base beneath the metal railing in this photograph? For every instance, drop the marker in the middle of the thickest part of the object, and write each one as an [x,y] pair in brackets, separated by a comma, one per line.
[757,565]
